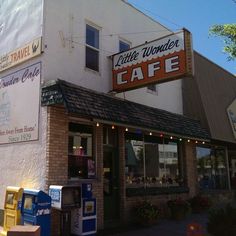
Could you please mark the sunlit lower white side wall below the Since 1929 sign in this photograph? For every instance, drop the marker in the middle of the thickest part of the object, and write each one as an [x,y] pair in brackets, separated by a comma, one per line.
[24,164]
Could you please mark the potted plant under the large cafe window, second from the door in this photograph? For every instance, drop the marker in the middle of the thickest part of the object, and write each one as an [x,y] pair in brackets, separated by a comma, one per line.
[179,208]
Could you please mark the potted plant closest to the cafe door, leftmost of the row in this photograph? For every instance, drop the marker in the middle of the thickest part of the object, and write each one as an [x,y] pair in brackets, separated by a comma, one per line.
[146,213]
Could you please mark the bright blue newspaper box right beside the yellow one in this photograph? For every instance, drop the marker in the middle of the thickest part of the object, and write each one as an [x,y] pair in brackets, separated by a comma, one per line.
[36,210]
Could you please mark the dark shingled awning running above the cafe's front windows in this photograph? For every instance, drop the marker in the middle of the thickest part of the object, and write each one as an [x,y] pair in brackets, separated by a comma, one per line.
[92,104]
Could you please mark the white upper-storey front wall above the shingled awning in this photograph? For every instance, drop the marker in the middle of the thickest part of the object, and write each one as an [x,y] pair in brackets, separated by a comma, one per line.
[116,20]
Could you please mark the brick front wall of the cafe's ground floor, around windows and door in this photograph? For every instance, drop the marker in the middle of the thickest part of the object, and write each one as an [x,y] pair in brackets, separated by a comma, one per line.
[57,167]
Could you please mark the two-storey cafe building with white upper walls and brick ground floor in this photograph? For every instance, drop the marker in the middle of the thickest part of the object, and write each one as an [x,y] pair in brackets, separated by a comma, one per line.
[57,69]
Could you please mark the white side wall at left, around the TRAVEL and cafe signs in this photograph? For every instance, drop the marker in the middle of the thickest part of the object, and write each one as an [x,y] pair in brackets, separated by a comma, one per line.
[22,164]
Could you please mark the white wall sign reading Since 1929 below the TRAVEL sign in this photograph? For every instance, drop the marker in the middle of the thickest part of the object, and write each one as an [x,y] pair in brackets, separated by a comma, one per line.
[19,105]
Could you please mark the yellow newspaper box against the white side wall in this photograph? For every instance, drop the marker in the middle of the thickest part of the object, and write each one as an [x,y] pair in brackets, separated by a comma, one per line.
[12,214]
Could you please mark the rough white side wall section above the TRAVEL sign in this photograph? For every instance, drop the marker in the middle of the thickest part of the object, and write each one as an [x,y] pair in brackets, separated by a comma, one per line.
[20,23]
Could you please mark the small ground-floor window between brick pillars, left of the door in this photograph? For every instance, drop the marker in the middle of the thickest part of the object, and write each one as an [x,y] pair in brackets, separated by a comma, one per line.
[81,161]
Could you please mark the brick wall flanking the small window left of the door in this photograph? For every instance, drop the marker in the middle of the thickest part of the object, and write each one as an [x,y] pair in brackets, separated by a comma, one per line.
[57,160]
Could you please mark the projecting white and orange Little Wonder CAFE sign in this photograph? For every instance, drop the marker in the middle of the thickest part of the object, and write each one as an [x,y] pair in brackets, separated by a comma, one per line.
[161,60]
